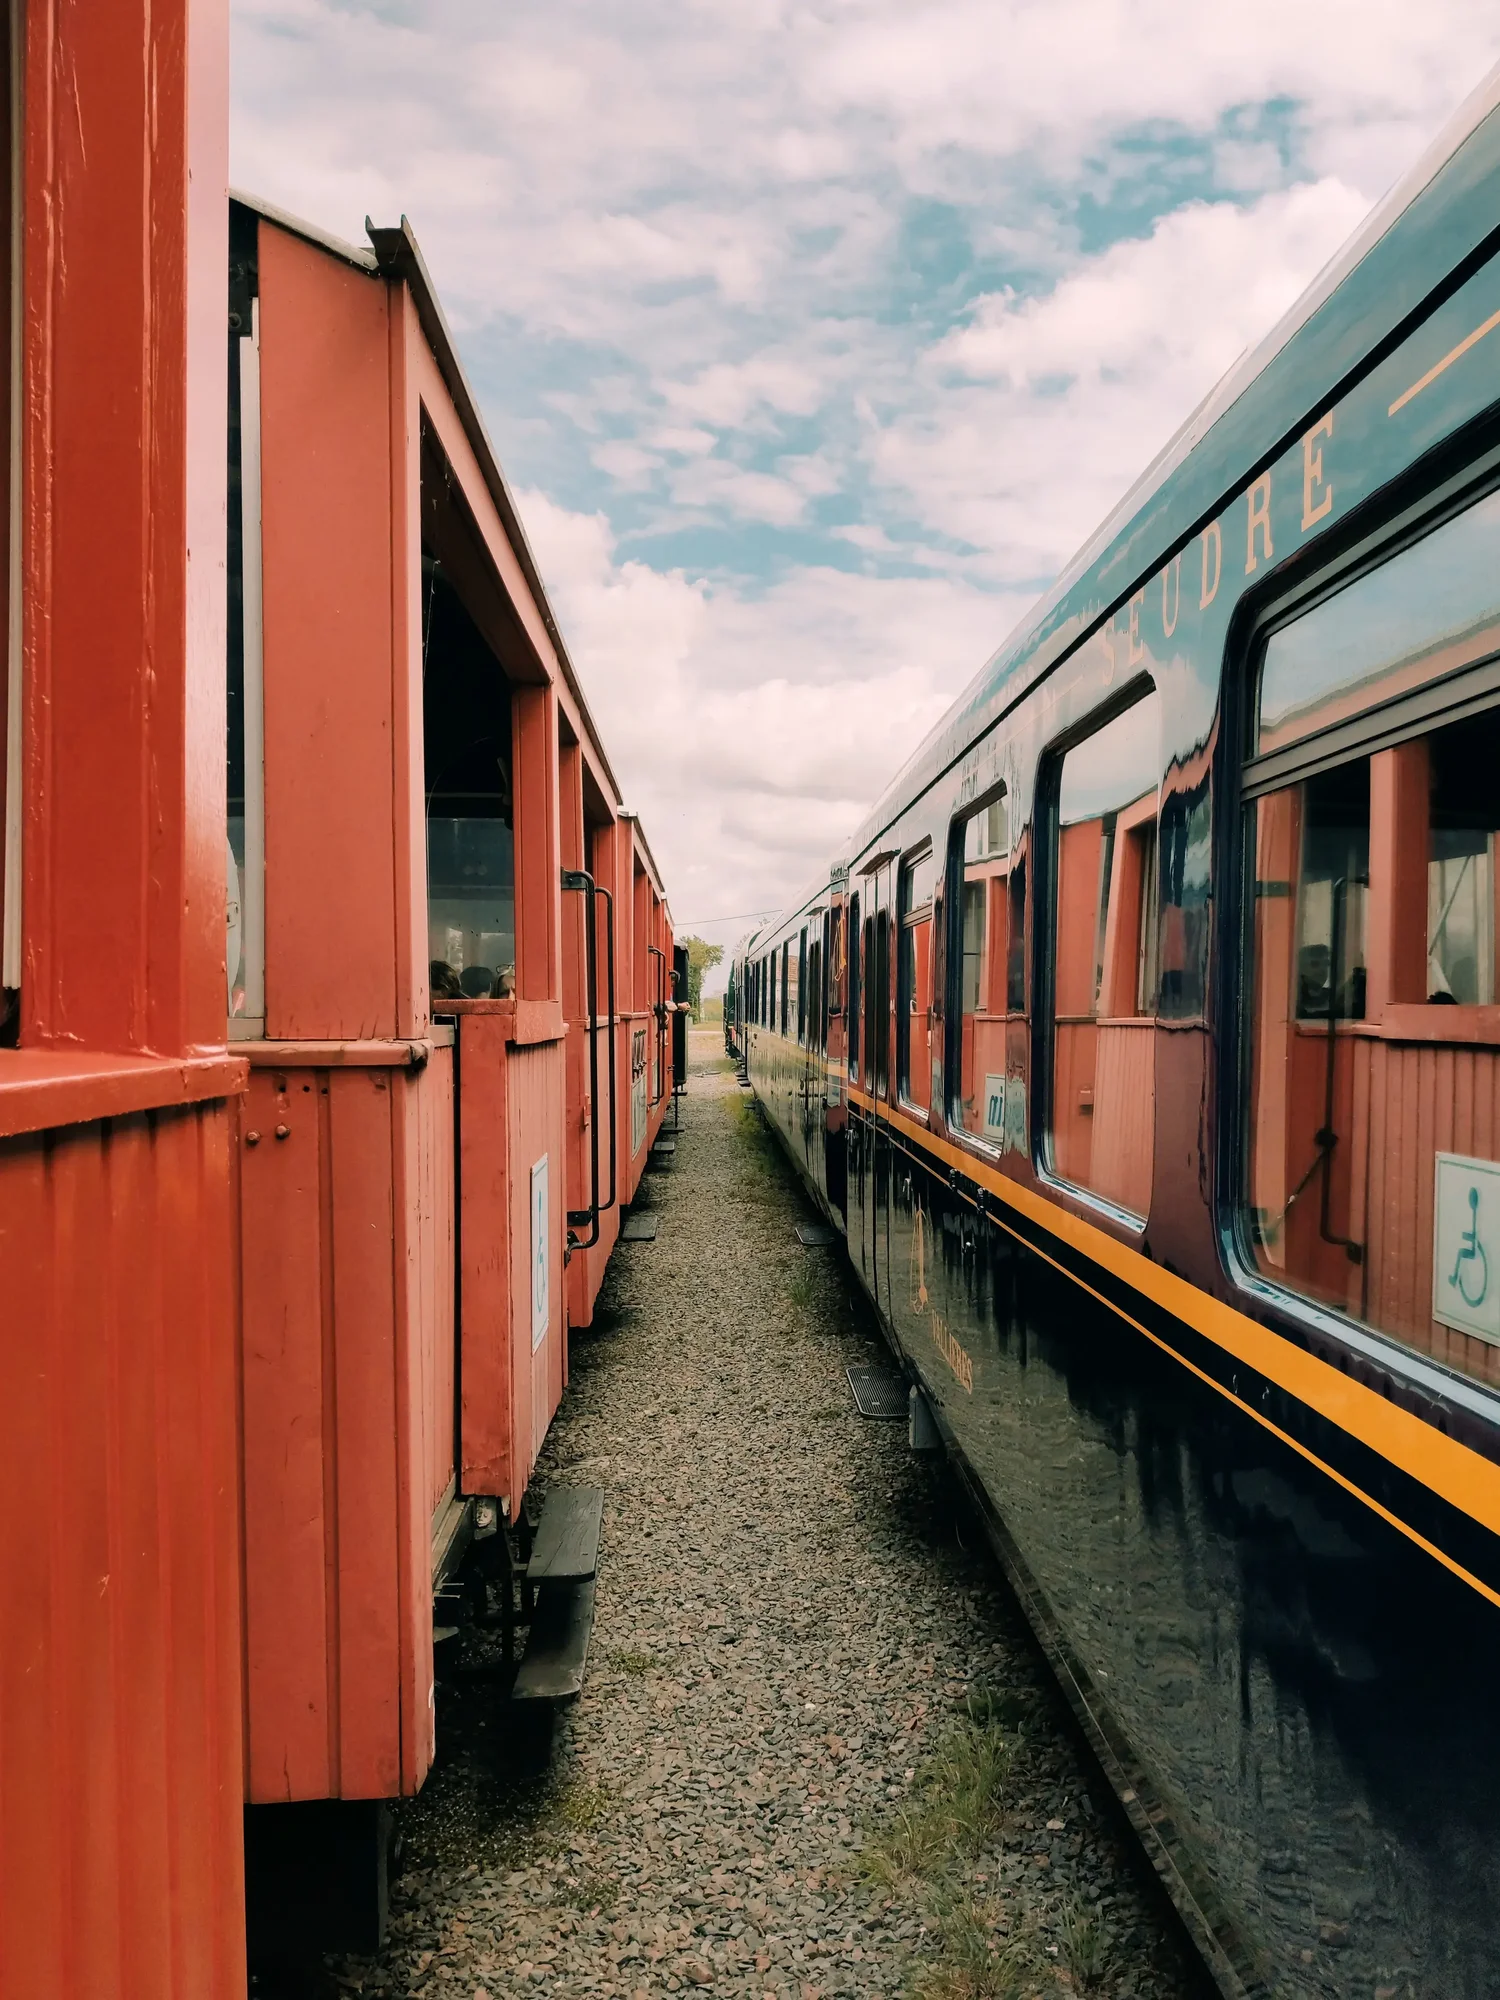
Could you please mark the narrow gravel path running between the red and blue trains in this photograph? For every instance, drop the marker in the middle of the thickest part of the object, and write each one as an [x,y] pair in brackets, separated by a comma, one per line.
[815,1753]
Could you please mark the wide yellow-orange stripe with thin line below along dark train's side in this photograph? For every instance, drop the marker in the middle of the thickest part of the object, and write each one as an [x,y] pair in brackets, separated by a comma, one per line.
[1439,1463]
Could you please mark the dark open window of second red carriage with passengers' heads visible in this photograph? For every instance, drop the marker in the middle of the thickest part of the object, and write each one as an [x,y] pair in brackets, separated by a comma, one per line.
[471,813]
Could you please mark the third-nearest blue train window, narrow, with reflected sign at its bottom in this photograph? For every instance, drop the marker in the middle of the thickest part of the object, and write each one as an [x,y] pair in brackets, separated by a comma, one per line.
[979,865]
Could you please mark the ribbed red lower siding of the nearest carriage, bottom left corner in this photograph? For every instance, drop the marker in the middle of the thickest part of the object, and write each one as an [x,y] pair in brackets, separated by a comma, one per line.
[119,1557]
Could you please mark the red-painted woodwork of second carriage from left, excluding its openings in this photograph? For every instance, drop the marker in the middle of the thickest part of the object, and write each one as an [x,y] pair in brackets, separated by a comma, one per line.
[387,1239]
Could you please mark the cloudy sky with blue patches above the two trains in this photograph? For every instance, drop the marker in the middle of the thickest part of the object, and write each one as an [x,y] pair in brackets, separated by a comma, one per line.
[815,335]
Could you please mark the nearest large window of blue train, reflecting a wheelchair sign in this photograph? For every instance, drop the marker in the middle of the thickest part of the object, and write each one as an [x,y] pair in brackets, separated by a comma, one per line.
[1373,1077]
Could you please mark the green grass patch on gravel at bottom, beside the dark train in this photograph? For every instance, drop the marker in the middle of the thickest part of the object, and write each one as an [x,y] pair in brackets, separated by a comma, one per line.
[941,1855]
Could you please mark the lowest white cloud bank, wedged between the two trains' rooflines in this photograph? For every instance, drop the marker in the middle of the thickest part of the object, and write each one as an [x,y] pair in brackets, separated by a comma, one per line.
[751,729]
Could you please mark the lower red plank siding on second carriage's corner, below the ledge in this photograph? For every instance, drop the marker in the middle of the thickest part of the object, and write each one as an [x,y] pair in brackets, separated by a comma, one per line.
[347,1307]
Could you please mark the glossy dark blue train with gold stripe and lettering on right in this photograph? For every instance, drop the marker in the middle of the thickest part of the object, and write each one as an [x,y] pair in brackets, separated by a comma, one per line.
[1147,1047]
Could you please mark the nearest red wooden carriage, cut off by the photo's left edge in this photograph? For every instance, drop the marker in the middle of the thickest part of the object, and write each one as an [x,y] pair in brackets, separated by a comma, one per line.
[121,1857]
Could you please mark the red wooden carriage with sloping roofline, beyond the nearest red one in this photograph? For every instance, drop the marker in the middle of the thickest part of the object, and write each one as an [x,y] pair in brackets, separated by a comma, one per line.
[443,1121]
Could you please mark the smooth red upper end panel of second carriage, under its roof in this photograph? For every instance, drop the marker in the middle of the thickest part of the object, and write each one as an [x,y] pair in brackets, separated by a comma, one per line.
[331,723]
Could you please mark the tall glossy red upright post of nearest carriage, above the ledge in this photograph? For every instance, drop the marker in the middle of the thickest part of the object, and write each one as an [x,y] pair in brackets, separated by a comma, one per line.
[125,747]
